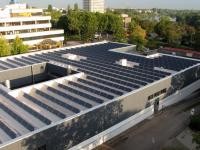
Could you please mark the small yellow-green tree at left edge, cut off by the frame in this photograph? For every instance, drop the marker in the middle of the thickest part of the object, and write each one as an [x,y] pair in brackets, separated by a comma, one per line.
[4,47]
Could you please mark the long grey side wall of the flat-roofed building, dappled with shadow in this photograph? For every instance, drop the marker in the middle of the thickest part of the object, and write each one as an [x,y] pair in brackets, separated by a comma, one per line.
[74,131]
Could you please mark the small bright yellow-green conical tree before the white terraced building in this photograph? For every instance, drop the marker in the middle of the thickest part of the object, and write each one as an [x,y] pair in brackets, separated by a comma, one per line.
[17,47]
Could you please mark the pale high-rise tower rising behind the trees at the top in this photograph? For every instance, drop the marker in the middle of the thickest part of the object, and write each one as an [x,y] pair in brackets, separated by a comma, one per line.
[94,5]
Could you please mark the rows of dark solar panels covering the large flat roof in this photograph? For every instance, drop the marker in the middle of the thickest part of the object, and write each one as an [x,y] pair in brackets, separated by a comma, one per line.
[104,81]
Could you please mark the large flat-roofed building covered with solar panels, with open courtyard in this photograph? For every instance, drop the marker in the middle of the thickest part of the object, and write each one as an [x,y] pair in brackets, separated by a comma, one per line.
[79,97]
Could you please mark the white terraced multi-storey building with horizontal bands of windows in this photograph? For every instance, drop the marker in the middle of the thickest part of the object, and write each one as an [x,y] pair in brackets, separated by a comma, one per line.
[29,24]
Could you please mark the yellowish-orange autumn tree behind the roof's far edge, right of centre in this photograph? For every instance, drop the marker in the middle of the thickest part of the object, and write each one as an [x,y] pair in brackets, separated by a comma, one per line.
[138,37]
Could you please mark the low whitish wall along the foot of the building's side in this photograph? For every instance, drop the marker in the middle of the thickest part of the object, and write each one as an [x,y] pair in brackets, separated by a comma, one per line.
[137,118]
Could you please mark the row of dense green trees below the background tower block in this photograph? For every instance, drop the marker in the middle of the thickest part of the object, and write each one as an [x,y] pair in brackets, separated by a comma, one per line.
[86,24]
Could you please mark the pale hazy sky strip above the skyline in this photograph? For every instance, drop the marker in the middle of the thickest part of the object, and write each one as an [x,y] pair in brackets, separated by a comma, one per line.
[171,4]
